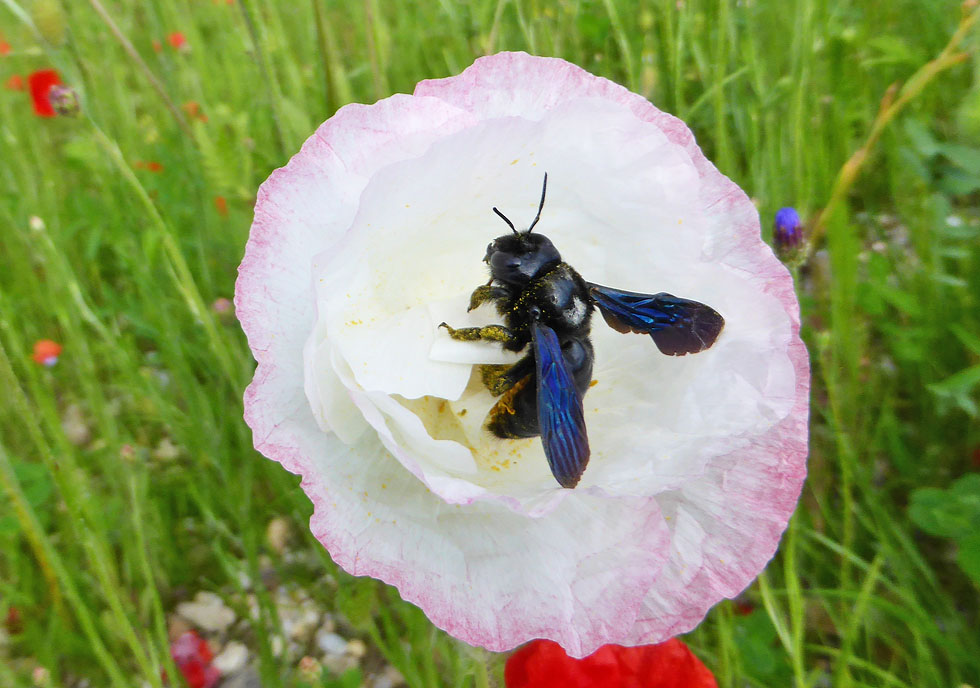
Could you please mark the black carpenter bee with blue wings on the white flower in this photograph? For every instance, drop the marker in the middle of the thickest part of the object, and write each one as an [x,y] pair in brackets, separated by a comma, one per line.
[546,303]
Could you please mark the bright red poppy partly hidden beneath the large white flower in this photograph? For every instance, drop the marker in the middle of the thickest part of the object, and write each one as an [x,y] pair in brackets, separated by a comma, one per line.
[543,664]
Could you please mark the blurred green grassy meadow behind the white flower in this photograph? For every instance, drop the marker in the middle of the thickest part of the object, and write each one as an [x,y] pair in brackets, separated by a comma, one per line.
[129,482]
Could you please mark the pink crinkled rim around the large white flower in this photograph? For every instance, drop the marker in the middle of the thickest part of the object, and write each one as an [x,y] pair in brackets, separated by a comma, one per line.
[282,439]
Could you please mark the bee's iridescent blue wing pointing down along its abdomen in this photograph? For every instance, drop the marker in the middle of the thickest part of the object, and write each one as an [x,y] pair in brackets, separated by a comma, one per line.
[560,415]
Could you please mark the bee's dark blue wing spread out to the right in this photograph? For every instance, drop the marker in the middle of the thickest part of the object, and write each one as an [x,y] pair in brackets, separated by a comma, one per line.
[677,326]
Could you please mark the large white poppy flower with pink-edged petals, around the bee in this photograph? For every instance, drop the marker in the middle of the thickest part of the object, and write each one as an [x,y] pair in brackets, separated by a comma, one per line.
[373,234]
